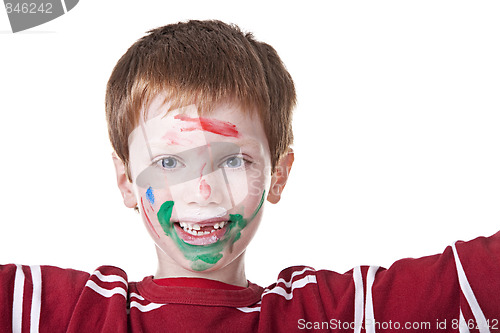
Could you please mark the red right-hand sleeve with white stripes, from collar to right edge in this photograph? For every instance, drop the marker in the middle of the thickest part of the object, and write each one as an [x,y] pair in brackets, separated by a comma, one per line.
[455,291]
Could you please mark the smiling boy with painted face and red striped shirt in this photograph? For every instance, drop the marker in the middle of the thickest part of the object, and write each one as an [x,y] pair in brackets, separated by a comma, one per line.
[199,117]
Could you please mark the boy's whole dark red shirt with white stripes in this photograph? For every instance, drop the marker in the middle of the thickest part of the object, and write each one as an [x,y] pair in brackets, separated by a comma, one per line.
[456,291]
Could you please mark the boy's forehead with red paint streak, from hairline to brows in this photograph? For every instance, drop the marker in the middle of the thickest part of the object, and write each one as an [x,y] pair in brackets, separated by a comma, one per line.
[163,130]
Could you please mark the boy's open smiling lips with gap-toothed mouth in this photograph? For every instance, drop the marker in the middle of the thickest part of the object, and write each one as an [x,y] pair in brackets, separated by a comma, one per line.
[201,233]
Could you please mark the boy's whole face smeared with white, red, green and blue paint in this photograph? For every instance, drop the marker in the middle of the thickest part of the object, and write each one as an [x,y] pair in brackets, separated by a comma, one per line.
[200,181]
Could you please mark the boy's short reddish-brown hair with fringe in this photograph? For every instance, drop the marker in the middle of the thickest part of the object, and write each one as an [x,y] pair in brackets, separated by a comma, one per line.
[202,63]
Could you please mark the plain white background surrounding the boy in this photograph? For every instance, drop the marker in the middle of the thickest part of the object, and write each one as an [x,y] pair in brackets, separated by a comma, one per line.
[397,132]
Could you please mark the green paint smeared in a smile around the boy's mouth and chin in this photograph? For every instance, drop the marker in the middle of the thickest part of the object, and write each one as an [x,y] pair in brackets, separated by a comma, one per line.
[205,256]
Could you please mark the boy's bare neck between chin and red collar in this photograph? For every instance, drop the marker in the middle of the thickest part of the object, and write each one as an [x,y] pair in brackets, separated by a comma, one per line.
[233,273]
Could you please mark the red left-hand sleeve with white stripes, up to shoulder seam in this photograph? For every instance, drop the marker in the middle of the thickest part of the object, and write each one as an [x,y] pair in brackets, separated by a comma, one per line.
[52,299]
